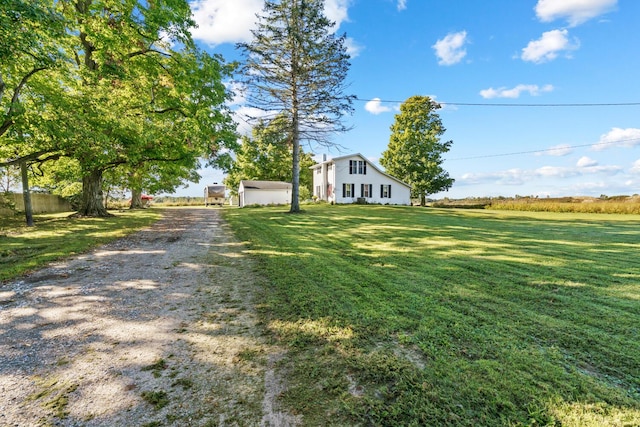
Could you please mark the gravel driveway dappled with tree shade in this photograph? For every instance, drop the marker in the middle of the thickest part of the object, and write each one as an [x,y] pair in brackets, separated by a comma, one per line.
[157,329]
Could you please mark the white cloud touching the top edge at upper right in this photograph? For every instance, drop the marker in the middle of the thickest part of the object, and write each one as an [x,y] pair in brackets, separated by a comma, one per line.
[575,11]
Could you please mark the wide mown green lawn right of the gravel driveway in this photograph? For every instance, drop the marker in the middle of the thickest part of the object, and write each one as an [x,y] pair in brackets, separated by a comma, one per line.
[410,316]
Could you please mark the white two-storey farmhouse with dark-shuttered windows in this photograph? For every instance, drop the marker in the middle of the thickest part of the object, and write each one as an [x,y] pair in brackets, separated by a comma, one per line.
[350,179]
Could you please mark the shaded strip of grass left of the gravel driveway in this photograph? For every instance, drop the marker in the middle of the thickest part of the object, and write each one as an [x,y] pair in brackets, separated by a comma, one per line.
[56,236]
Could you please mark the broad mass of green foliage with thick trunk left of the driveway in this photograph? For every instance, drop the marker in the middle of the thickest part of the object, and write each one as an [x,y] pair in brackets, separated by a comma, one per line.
[116,86]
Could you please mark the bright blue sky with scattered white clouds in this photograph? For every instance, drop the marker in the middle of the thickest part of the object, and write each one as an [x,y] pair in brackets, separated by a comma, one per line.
[504,72]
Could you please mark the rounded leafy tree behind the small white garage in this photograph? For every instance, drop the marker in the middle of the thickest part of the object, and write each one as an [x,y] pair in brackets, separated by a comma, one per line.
[267,155]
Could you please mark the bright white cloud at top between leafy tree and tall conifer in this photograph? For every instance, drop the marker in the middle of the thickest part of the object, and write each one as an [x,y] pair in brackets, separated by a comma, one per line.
[224,21]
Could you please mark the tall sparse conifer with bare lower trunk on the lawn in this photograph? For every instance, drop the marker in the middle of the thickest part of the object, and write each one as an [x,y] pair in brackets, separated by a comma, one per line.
[296,67]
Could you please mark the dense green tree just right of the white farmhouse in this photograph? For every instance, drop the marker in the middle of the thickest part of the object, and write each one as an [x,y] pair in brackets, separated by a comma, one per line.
[414,153]
